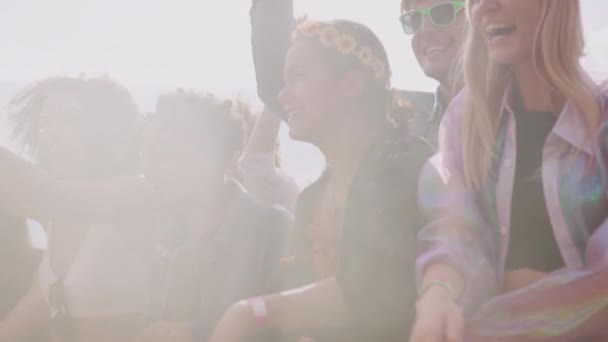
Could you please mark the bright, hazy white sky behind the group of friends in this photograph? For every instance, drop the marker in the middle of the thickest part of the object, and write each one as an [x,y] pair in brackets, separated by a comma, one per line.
[152,46]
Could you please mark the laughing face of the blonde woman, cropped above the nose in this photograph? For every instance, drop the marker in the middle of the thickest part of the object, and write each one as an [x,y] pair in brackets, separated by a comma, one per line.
[508,28]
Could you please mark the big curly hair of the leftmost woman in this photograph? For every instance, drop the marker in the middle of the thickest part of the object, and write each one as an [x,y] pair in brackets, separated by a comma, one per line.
[106,114]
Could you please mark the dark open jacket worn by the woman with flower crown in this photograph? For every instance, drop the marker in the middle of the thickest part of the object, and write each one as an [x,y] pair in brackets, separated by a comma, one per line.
[378,244]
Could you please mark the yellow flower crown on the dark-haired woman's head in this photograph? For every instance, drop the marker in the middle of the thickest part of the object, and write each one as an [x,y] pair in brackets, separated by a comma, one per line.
[343,43]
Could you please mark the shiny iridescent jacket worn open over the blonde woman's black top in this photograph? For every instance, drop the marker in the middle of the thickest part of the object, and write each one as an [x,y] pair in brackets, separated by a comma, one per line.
[470,230]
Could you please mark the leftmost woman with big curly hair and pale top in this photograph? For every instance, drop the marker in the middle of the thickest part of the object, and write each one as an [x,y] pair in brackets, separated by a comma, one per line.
[92,274]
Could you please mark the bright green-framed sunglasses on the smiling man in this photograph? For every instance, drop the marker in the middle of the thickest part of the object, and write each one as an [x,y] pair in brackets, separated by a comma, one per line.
[441,15]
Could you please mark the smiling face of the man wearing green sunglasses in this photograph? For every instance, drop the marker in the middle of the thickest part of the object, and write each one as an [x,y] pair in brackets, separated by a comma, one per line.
[436,48]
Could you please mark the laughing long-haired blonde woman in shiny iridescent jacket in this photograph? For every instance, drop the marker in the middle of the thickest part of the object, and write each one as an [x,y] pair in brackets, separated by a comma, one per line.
[517,195]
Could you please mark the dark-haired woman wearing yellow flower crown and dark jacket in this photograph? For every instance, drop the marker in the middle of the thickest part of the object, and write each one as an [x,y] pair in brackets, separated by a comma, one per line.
[351,258]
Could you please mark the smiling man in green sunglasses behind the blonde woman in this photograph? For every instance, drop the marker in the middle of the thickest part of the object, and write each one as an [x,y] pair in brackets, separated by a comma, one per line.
[437,30]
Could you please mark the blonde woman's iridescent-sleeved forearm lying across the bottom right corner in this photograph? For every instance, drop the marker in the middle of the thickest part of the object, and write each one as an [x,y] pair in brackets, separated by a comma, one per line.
[566,303]
